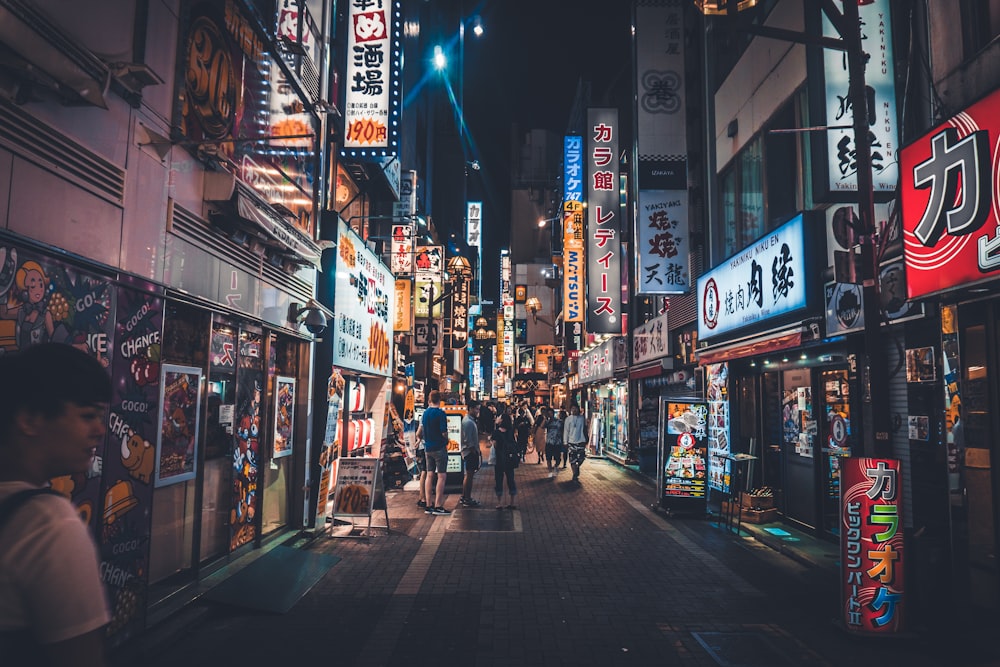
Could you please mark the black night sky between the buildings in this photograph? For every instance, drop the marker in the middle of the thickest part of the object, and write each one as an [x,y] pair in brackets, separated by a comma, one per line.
[524,70]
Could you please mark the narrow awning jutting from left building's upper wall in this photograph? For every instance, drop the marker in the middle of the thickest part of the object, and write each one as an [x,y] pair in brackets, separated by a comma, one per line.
[267,223]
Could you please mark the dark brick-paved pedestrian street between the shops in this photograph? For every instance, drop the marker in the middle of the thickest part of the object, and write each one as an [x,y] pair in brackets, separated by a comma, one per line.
[584,574]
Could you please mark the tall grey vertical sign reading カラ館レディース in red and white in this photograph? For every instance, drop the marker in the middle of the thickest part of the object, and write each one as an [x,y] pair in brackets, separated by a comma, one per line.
[604,302]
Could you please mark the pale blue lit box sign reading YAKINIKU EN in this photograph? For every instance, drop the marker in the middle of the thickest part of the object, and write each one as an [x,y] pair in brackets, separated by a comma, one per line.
[765,280]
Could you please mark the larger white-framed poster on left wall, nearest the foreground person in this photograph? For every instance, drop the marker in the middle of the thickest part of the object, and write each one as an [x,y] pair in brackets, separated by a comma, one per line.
[176,443]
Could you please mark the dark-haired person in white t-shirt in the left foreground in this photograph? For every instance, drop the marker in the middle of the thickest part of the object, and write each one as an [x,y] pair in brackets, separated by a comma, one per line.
[53,416]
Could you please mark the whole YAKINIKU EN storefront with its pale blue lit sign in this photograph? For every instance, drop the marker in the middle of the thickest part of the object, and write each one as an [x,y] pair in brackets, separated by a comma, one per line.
[778,395]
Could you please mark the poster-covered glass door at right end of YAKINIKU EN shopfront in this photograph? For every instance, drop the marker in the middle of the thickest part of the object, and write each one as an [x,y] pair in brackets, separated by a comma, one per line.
[836,440]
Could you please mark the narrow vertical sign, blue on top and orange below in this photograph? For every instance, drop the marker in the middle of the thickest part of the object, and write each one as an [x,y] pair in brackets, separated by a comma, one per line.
[574,256]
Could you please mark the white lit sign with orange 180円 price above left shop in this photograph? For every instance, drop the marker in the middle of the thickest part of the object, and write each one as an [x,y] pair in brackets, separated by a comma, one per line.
[363,301]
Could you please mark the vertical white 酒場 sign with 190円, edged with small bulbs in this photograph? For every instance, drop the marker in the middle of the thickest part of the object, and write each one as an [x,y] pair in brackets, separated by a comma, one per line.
[373,94]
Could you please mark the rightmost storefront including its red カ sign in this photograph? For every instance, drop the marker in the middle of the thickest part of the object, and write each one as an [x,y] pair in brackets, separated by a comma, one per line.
[950,243]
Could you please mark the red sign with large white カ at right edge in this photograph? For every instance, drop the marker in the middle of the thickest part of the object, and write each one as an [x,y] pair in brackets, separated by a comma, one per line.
[950,219]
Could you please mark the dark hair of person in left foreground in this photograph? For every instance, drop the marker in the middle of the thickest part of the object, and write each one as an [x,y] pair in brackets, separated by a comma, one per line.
[45,377]
